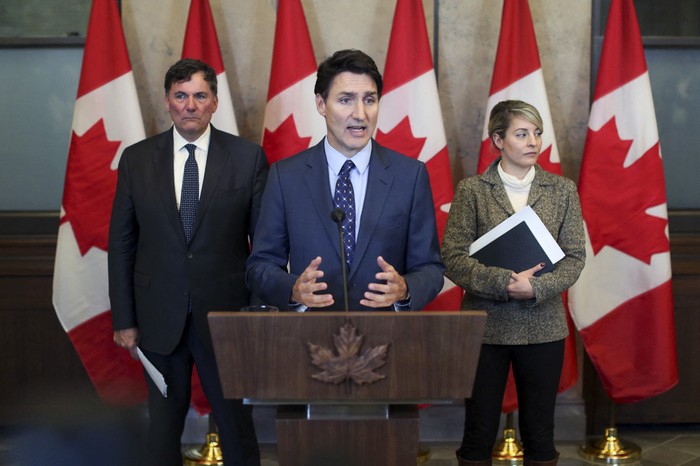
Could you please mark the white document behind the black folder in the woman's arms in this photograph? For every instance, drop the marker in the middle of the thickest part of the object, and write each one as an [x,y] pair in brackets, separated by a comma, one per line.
[533,221]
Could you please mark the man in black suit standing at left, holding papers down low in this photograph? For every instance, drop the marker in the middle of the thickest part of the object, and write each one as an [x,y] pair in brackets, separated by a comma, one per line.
[186,204]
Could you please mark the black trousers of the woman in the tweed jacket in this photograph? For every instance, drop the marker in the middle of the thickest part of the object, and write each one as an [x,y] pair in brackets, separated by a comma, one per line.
[536,369]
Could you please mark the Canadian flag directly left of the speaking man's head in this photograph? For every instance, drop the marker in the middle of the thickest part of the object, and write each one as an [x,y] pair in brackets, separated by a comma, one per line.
[291,120]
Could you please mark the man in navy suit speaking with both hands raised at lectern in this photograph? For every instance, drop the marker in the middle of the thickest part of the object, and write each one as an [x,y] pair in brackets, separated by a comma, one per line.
[391,242]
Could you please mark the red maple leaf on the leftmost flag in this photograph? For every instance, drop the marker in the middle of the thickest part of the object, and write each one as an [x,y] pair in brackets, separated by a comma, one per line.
[89,188]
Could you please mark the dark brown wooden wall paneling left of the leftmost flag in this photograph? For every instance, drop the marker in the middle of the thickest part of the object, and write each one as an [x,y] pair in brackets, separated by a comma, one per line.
[38,364]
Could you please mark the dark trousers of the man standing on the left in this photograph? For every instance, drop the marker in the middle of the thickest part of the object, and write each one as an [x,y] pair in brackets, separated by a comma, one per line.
[234,420]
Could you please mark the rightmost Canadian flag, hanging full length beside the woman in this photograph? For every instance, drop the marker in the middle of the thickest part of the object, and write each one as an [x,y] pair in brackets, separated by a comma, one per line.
[622,303]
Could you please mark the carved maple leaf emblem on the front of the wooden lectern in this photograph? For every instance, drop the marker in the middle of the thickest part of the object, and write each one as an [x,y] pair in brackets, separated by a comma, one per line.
[348,364]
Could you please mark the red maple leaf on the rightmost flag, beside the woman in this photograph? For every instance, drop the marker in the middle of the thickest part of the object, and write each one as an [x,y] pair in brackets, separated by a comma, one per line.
[616,199]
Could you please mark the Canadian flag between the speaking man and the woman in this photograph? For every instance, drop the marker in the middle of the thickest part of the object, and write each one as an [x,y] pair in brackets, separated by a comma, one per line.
[410,118]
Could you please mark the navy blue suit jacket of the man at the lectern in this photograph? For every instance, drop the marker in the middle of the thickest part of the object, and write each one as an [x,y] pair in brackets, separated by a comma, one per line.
[295,226]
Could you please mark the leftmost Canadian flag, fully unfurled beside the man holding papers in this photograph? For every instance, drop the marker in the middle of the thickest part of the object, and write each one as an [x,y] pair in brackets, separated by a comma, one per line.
[106,119]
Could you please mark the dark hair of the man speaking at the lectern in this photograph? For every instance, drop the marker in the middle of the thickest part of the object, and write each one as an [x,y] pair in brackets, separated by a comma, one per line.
[354,61]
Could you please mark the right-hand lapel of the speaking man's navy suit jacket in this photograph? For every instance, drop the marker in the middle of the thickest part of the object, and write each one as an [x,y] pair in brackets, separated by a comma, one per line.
[379,183]
